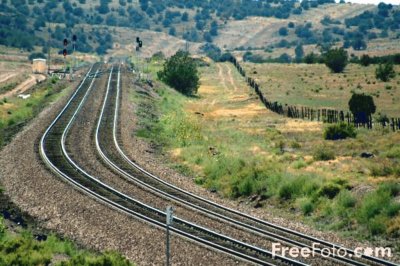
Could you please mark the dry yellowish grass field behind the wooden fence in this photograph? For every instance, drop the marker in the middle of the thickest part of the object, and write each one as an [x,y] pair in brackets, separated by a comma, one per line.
[315,86]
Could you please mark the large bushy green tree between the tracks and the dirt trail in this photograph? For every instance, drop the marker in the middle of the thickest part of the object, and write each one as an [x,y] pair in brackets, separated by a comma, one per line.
[180,72]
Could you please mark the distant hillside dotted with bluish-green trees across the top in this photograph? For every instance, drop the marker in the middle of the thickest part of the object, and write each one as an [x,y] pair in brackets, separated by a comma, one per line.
[230,24]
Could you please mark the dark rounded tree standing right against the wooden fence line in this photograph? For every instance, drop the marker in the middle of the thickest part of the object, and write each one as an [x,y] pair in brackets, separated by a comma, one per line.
[362,106]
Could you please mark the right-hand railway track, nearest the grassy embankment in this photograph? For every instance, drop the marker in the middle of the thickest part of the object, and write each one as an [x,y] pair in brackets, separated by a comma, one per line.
[110,151]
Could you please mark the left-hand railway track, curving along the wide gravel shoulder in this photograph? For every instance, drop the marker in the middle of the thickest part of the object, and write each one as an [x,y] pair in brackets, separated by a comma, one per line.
[53,152]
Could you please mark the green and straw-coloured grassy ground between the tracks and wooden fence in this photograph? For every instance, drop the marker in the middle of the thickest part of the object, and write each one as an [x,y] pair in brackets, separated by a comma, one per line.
[231,144]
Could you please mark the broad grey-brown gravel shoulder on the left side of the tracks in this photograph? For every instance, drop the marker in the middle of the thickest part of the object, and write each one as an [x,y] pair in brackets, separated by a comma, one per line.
[57,206]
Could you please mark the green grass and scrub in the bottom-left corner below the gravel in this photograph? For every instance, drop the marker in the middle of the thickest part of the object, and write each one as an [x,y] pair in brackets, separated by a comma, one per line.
[23,249]
